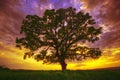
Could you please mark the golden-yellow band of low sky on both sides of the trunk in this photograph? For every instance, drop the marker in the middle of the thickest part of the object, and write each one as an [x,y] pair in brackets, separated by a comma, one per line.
[13,58]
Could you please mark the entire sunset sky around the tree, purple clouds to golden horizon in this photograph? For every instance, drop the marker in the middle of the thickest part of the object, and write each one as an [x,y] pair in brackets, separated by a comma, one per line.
[105,12]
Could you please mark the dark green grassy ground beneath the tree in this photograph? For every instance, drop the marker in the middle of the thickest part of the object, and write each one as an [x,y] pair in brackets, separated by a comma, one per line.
[59,75]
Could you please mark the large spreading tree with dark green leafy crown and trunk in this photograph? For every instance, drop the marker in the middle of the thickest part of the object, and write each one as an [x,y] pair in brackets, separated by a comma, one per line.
[56,34]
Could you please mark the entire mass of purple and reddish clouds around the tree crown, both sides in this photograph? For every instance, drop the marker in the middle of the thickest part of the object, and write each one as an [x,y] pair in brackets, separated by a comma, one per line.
[105,12]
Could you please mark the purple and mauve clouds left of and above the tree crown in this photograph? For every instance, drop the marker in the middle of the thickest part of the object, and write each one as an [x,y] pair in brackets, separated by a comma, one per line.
[12,13]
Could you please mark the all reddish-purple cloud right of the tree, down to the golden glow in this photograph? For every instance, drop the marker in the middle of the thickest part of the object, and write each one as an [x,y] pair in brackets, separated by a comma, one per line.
[107,12]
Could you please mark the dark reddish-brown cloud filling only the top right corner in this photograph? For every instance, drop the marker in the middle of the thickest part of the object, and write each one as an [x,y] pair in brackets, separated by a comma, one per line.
[109,10]
